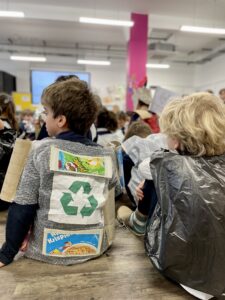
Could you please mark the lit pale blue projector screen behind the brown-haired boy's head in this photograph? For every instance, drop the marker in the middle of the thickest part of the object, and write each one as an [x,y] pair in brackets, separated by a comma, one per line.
[41,79]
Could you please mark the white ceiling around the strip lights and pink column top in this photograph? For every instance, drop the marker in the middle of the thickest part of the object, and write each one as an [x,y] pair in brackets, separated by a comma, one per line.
[51,27]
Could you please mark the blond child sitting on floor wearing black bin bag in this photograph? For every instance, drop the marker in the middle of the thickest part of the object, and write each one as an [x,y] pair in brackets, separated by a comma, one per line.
[185,233]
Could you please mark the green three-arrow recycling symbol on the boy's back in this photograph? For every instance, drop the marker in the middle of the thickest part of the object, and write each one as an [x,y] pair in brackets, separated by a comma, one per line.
[67,198]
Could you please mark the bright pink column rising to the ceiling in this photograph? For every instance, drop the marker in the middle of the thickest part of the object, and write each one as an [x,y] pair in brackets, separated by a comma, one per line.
[137,55]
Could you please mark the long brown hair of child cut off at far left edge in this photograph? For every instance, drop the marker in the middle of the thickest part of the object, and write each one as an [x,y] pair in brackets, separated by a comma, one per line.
[7,110]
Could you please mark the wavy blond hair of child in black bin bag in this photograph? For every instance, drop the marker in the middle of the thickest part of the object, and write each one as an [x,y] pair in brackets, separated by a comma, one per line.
[197,122]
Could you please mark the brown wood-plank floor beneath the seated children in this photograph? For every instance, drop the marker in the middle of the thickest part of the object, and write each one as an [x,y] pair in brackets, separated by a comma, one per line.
[124,272]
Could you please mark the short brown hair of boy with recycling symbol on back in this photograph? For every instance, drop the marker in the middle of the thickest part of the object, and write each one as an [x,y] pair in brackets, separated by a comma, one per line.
[73,99]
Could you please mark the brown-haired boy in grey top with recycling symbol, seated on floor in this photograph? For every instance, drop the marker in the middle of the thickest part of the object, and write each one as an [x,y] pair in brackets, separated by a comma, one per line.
[66,186]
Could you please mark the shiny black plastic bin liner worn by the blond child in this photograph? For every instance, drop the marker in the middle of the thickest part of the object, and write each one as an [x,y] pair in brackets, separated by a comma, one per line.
[185,237]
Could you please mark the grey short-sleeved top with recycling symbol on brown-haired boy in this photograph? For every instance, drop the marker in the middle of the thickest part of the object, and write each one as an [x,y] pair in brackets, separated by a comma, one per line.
[60,206]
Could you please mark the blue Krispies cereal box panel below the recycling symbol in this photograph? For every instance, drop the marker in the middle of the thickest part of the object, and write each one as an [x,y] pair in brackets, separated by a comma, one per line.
[65,243]
